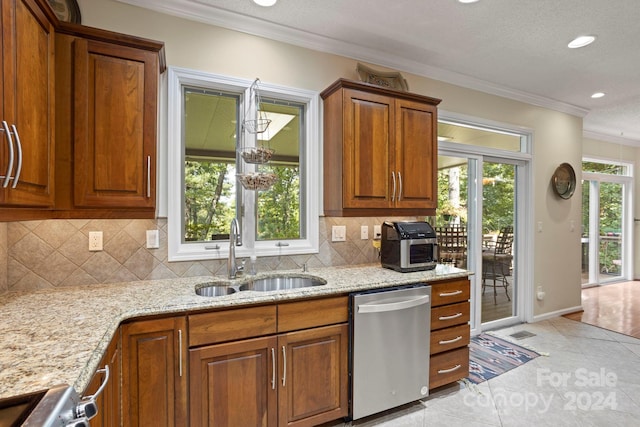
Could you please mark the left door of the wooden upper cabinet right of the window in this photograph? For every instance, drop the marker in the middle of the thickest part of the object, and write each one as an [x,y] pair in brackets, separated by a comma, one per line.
[367,179]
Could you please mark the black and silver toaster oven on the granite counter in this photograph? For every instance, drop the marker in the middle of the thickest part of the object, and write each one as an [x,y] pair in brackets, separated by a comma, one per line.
[408,246]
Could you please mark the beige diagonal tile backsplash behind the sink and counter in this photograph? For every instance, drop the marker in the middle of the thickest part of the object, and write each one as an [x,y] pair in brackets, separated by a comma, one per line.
[53,253]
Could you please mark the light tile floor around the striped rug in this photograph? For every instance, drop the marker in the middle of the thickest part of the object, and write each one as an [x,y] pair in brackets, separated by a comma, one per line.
[591,377]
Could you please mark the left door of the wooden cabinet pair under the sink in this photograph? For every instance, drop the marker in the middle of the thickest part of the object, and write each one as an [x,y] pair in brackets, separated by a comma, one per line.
[234,384]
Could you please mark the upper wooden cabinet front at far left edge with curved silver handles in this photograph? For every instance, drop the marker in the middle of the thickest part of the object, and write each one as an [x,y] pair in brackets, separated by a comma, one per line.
[27,103]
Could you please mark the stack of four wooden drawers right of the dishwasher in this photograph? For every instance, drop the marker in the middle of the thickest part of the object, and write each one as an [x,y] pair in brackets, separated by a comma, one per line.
[450,332]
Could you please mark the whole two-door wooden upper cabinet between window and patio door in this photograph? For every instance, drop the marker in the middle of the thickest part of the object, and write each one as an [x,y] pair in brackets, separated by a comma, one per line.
[380,151]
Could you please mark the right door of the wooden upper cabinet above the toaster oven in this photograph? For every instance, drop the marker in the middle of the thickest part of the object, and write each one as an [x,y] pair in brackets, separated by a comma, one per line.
[415,154]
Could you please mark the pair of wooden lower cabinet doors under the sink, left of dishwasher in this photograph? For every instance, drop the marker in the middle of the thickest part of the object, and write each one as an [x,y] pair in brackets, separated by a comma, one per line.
[293,379]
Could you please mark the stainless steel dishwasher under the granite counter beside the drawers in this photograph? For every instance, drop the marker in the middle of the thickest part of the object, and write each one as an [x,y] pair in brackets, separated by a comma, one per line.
[390,348]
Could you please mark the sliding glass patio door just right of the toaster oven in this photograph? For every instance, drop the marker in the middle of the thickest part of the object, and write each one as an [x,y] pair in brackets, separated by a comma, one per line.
[477,194]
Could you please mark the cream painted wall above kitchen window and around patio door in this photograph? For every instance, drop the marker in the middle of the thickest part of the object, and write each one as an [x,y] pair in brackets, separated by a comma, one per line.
[555,261]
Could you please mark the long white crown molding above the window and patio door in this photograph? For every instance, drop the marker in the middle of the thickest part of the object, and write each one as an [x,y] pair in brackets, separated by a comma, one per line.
[208,14]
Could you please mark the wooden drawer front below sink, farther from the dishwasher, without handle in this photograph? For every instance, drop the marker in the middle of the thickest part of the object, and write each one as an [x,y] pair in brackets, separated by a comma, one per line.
[228,325]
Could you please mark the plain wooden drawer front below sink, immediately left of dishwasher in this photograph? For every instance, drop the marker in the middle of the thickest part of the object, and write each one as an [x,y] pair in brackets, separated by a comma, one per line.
[309,314]
